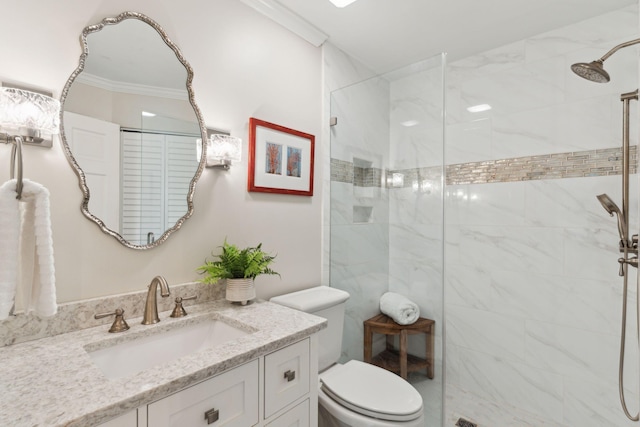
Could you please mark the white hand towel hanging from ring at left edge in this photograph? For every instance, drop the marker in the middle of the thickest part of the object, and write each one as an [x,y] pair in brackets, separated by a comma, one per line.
[32,273]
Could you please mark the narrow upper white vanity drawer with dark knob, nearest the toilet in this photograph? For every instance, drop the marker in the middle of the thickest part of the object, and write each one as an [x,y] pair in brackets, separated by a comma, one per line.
[286,376]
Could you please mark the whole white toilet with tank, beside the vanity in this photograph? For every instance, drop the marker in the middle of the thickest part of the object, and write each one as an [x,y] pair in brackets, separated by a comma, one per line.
[354,394]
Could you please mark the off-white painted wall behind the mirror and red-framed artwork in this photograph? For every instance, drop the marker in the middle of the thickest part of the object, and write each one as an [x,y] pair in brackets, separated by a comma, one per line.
[245,66]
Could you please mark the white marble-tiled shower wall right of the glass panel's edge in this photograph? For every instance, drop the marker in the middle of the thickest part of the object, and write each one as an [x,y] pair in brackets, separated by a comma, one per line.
[533,298]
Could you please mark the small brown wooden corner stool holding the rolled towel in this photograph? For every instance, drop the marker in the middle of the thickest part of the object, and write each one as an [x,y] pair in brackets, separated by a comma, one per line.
[391,359]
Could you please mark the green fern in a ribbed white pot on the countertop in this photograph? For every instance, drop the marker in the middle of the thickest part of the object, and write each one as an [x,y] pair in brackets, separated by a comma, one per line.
[238,268]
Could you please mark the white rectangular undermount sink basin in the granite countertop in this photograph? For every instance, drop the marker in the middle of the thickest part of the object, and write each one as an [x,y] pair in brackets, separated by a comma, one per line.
[130,357]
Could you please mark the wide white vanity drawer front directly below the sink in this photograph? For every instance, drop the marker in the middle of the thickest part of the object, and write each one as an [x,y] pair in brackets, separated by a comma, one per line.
[234,394]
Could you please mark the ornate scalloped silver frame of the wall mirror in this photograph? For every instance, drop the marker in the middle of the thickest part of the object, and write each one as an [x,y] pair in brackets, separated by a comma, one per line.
[81,174]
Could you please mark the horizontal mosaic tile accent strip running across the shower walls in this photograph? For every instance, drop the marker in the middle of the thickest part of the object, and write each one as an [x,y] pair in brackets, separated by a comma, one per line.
[579,164]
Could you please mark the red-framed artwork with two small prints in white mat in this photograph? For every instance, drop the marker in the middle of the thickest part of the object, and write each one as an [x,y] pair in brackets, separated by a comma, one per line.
[280,159]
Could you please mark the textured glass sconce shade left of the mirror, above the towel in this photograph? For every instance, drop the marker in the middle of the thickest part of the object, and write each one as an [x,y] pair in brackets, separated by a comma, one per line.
[26,113]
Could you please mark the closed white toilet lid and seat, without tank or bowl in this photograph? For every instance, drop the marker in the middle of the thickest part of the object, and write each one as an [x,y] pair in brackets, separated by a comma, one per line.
[372,391]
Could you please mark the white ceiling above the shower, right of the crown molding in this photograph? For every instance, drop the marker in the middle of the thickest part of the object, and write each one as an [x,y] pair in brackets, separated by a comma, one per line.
[388,34]
